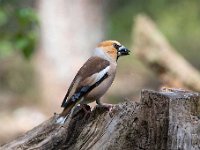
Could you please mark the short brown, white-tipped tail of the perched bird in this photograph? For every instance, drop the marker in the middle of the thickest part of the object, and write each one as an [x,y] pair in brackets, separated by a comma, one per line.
[63,115]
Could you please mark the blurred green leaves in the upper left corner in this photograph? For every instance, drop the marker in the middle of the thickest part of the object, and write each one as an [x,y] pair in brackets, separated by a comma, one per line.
[18,28]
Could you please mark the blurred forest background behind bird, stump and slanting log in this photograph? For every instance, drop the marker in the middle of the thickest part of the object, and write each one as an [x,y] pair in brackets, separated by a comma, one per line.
[43,44]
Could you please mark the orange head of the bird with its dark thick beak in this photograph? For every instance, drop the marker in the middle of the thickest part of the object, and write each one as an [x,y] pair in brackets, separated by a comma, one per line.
[113,49]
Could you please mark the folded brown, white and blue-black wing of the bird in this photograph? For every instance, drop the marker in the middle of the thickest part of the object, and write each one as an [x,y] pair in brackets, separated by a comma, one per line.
[90,75]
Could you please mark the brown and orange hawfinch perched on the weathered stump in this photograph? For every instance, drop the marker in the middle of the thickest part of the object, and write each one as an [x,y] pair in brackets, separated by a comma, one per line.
[94,78]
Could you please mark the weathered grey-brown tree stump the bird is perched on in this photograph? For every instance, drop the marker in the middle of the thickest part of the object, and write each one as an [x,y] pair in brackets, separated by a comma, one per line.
[162,120]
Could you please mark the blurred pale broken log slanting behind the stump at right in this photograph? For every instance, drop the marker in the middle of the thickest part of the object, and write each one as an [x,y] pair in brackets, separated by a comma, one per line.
[154,50]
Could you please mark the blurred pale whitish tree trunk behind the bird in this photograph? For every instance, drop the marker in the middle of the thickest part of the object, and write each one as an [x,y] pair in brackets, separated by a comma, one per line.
[69,31]
